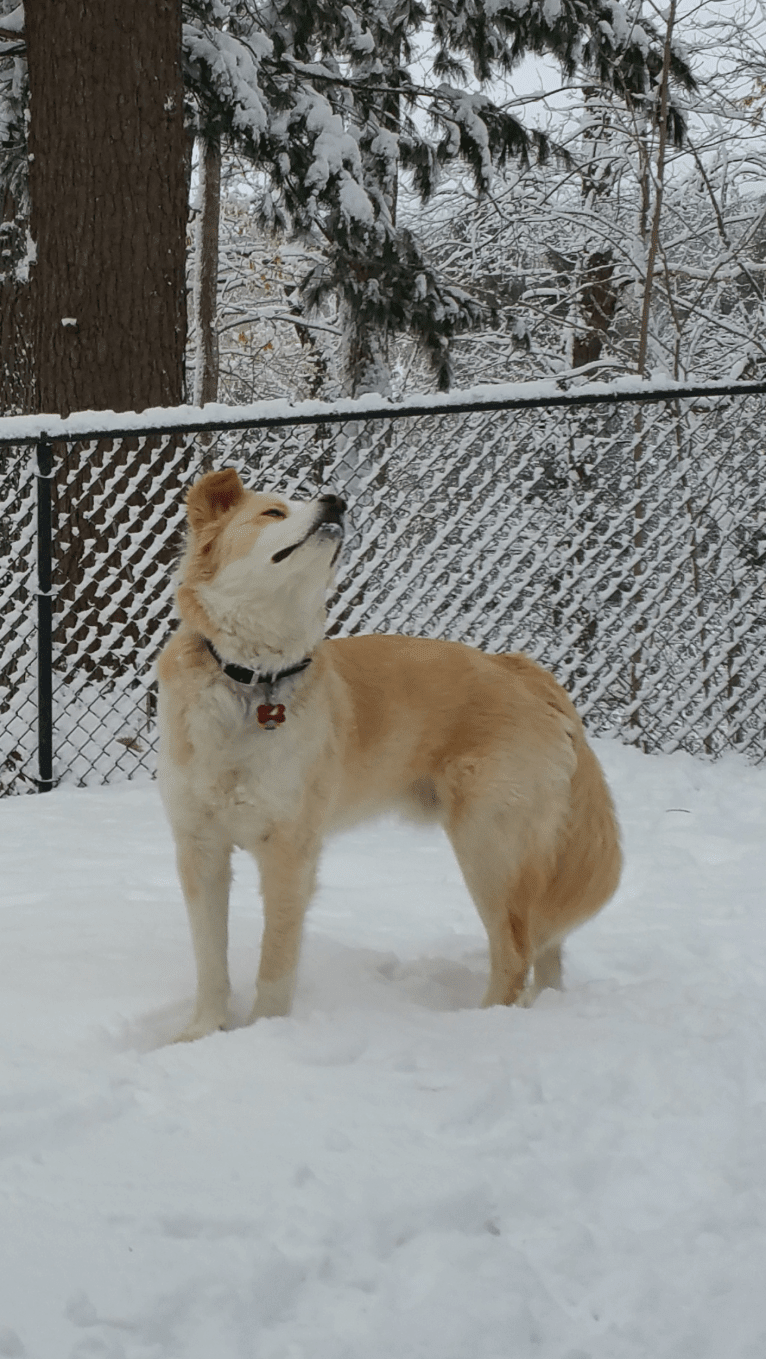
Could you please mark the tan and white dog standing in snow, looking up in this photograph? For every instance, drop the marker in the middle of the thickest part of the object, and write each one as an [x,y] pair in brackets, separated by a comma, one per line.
[272,737]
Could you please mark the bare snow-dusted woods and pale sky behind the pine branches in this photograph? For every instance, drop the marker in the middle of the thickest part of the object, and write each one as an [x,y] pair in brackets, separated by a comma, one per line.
[556,252]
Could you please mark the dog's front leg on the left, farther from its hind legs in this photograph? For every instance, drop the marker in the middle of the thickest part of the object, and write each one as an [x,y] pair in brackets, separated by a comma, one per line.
[204,868]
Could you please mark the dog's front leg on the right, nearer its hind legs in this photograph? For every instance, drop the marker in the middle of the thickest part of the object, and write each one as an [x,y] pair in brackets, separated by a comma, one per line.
[287,864]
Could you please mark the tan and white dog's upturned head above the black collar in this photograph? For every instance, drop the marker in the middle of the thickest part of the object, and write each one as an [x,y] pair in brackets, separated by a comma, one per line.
[257,569]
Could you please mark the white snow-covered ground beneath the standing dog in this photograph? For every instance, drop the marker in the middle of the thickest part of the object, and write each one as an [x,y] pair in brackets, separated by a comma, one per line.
[390,1173]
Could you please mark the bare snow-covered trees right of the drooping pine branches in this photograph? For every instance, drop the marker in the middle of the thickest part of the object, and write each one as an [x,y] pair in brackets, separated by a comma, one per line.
[566,249]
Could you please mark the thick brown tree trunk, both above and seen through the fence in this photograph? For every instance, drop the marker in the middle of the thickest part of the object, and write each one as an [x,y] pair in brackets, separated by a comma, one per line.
[105,309]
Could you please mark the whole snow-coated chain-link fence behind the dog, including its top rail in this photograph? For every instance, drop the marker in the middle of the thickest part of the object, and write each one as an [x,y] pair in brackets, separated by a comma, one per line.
[619,535]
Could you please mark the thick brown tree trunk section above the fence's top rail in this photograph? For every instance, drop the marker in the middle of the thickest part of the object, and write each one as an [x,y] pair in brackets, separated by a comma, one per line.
[108,292]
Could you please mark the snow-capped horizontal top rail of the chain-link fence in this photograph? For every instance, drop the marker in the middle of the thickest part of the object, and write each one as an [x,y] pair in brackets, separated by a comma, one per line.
[215,417]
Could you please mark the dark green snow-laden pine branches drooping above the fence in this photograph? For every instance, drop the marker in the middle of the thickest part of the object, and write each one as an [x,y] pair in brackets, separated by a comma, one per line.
[329,103]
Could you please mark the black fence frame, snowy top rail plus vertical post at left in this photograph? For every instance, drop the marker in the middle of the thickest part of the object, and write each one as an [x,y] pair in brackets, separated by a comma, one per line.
[75,429]
